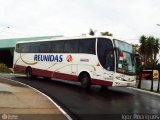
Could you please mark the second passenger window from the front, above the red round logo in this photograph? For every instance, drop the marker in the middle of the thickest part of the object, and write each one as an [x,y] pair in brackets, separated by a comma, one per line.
[71,46]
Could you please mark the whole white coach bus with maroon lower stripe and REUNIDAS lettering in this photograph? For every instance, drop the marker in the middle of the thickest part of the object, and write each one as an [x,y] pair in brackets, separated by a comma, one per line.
[89,60]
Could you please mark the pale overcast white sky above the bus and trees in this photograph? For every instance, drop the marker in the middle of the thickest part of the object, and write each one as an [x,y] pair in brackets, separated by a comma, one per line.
[125,19]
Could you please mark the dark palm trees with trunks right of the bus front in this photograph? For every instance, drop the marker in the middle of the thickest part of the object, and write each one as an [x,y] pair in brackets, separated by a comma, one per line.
[148,50]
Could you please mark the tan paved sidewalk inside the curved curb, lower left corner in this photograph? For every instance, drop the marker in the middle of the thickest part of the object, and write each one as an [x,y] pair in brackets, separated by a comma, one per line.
[19,102]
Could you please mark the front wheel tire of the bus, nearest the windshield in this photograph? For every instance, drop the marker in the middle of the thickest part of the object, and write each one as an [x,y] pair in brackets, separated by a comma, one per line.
[85,81]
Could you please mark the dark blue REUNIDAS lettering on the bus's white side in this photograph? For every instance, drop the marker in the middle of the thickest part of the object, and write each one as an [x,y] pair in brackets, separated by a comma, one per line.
[48,58]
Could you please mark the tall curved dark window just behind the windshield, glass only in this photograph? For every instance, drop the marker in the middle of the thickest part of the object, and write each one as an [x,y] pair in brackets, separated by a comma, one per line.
[106,53]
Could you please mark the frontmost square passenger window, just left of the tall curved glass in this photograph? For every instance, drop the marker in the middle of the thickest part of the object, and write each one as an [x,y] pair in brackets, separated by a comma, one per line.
[87,46]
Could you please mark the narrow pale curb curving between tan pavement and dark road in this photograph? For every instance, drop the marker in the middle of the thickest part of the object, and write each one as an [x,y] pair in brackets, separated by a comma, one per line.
[64,113]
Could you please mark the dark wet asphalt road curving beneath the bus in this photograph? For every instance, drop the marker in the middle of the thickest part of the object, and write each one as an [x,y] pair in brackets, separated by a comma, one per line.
[117,103]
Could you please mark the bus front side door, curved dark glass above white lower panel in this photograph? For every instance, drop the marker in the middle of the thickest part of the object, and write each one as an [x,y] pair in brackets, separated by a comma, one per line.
[106,57]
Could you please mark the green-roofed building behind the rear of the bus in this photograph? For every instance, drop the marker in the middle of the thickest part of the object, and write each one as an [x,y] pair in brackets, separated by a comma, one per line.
[7,48]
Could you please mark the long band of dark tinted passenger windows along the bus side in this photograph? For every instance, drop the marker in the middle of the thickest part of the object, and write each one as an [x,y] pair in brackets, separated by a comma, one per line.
[68,46]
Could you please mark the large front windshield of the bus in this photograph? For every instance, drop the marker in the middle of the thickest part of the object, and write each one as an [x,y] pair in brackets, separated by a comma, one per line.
[125,59]
